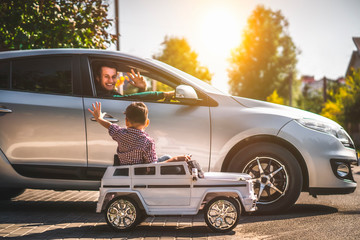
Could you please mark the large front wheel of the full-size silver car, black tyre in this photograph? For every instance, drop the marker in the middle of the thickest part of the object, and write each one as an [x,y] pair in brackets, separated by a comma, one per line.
[275,172]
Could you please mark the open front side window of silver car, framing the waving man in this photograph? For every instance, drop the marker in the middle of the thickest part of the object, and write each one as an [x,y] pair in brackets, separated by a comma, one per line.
[112,80]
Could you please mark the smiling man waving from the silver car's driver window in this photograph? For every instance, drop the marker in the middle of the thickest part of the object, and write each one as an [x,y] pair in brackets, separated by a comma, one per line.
[106,77]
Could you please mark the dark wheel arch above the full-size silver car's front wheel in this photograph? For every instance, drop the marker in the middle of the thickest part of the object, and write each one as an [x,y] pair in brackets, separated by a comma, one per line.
[269,139]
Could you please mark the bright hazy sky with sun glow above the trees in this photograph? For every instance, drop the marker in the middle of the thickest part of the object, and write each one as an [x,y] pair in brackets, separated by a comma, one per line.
[321,29]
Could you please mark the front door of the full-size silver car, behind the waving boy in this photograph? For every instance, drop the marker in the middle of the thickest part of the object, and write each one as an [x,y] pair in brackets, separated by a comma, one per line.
[177,128]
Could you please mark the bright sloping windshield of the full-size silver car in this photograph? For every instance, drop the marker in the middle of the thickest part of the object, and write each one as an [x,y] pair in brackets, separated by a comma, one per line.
[199,83]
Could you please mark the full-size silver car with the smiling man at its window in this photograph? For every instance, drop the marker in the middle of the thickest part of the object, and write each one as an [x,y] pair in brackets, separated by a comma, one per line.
[49,140]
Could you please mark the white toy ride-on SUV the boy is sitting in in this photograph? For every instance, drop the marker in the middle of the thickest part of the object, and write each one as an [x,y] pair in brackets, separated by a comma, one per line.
[129,193]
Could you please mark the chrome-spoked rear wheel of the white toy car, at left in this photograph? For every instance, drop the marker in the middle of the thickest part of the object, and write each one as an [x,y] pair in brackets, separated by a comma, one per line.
[122,214]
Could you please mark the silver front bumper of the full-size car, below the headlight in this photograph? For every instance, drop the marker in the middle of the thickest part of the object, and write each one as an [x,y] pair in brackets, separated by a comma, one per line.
[317,150]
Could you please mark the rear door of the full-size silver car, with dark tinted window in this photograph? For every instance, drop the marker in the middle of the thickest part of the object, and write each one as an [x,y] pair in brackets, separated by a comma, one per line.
[42,121]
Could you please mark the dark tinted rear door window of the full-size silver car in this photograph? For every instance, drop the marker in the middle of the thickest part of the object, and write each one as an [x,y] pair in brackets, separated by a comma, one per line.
[43,75]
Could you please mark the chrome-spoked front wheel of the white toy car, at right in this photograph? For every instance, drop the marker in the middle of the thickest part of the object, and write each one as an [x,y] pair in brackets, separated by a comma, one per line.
[222,214]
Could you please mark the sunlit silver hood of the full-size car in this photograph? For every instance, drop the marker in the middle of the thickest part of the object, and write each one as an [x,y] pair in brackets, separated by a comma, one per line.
[286,111]
